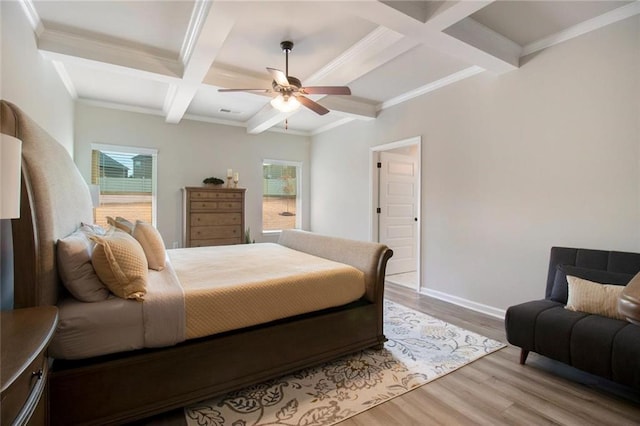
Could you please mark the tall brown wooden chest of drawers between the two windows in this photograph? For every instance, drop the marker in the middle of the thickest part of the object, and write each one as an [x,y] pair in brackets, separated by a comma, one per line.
[213,216]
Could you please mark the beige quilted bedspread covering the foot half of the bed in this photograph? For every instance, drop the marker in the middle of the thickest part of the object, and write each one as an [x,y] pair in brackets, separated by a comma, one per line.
[229,287]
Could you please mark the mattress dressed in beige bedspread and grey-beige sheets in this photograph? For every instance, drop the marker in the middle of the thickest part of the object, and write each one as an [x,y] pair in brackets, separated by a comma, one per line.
[204,291]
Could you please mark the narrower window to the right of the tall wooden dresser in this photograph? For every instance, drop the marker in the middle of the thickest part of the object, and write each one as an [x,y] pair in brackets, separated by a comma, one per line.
[281,195]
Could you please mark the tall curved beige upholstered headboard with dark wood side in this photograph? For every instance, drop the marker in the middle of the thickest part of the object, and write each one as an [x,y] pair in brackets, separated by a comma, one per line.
[55,200]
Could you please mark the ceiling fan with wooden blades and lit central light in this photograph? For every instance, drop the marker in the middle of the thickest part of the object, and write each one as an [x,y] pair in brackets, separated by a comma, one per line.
[290,90]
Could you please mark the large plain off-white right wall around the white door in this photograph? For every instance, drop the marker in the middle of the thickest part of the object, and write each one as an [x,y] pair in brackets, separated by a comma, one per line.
[511,165]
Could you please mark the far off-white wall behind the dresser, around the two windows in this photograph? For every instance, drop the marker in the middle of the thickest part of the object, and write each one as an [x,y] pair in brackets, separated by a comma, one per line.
[187,153]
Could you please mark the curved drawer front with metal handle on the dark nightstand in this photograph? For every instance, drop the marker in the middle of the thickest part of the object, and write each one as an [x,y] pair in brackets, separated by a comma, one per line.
[20,399]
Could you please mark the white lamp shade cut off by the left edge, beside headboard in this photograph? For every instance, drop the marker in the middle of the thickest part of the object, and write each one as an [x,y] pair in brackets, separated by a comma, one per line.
[10,163]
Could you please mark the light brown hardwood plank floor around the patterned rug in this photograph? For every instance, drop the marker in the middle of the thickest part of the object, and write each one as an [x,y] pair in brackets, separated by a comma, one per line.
[496,389]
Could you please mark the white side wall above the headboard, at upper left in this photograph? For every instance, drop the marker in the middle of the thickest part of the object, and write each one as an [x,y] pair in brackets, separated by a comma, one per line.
[29,80]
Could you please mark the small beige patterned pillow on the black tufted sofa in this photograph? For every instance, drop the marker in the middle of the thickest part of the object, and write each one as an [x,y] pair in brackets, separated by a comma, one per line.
[593,298]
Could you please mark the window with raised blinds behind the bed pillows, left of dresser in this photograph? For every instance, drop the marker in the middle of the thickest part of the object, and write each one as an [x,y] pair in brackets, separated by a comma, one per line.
[127,180]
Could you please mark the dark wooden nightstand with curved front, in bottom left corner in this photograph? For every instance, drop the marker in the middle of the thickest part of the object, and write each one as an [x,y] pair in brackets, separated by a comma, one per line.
[26,333]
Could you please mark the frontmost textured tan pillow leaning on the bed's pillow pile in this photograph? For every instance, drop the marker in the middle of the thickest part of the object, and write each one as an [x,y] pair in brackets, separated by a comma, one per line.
[121,265]
